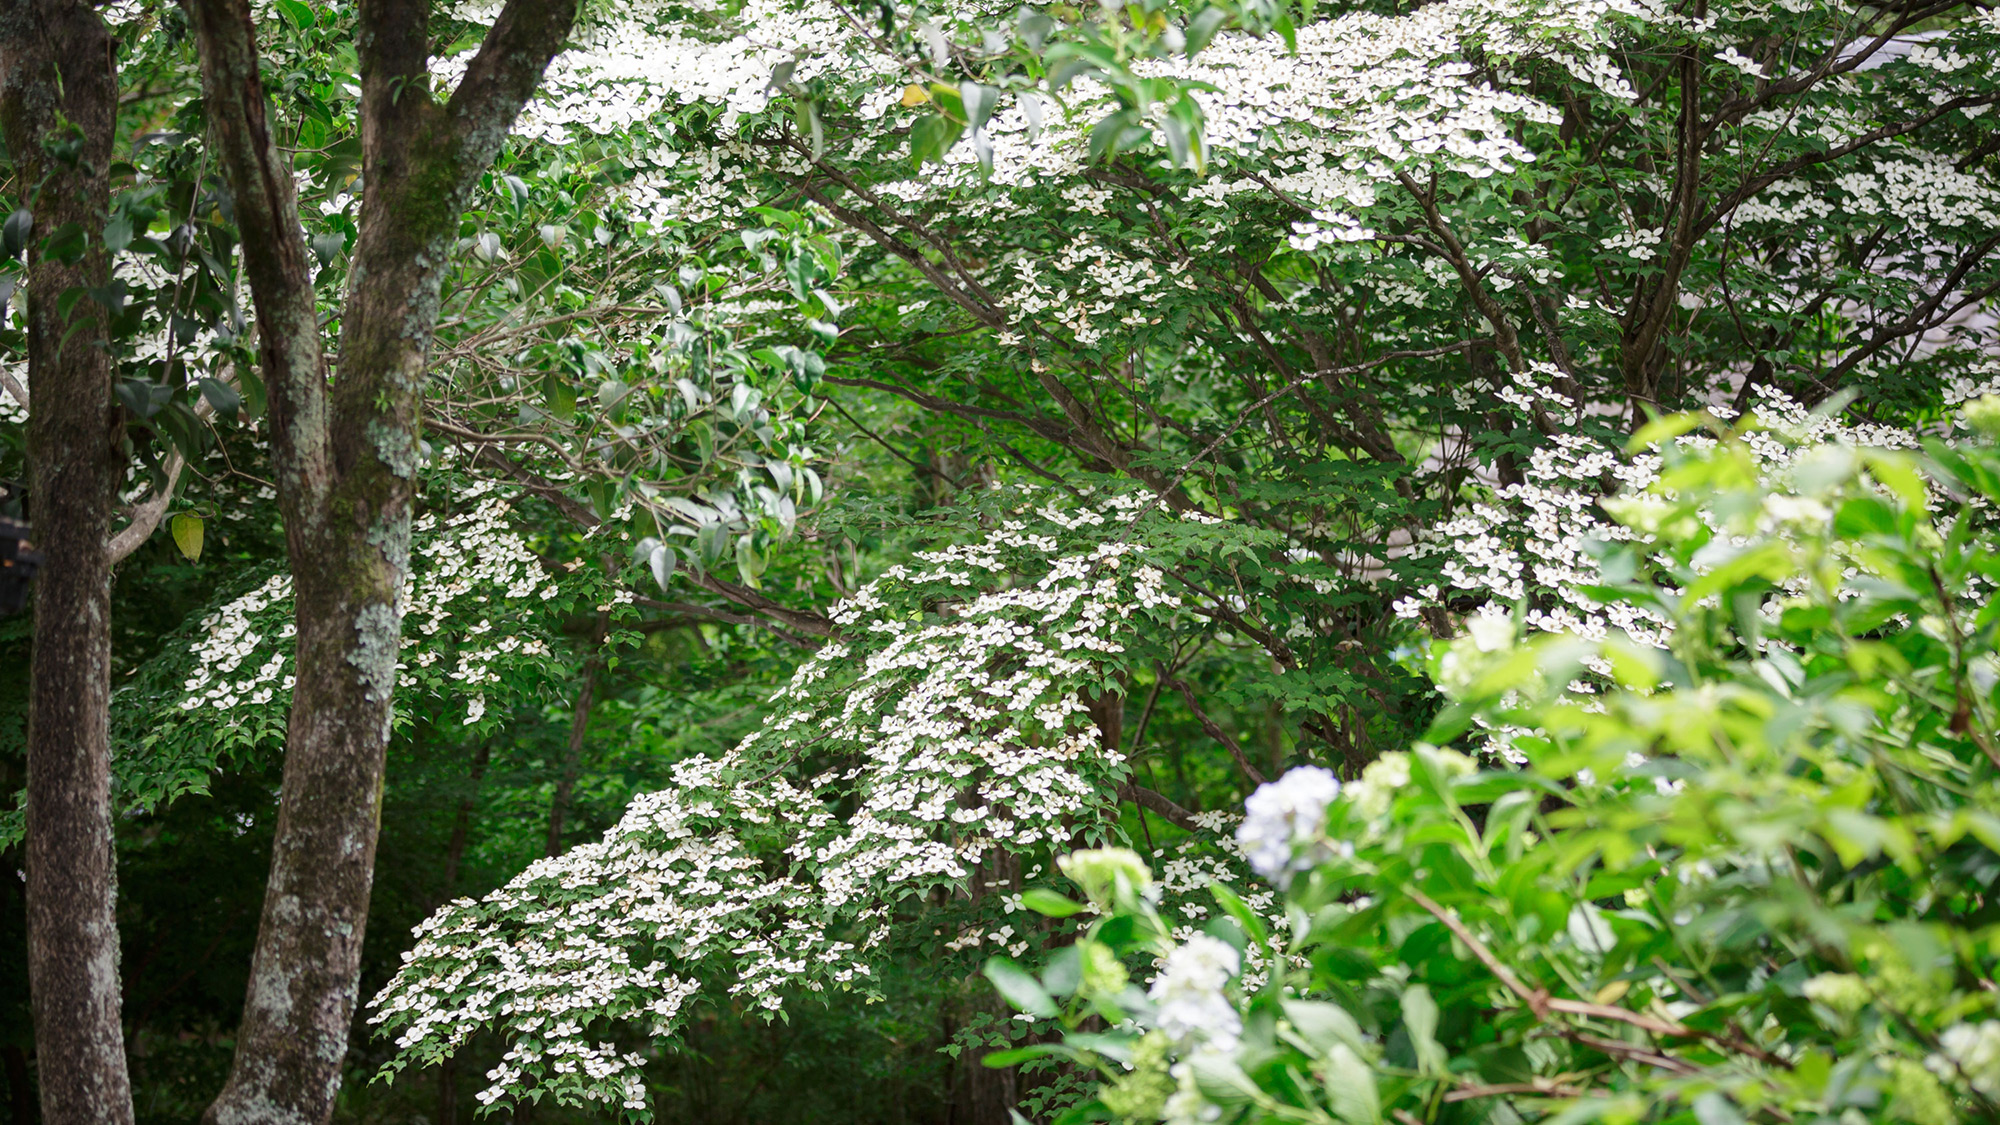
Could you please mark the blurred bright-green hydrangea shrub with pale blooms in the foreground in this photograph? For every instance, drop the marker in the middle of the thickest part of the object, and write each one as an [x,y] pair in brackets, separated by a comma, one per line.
[1747,882]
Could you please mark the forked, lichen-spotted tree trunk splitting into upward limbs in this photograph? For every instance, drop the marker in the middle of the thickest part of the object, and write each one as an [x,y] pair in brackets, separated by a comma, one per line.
[345,455]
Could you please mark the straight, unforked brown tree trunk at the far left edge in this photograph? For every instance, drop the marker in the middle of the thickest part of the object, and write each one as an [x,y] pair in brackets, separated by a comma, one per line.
[59,101]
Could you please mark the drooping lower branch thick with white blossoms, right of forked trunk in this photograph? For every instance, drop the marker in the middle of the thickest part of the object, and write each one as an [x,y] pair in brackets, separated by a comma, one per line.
[949,726]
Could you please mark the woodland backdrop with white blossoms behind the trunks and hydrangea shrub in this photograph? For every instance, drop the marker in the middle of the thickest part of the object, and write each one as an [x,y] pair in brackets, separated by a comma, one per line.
[1263,345]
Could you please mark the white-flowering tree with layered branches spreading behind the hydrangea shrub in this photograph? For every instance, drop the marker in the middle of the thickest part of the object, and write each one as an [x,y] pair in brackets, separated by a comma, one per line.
[1347,309]
